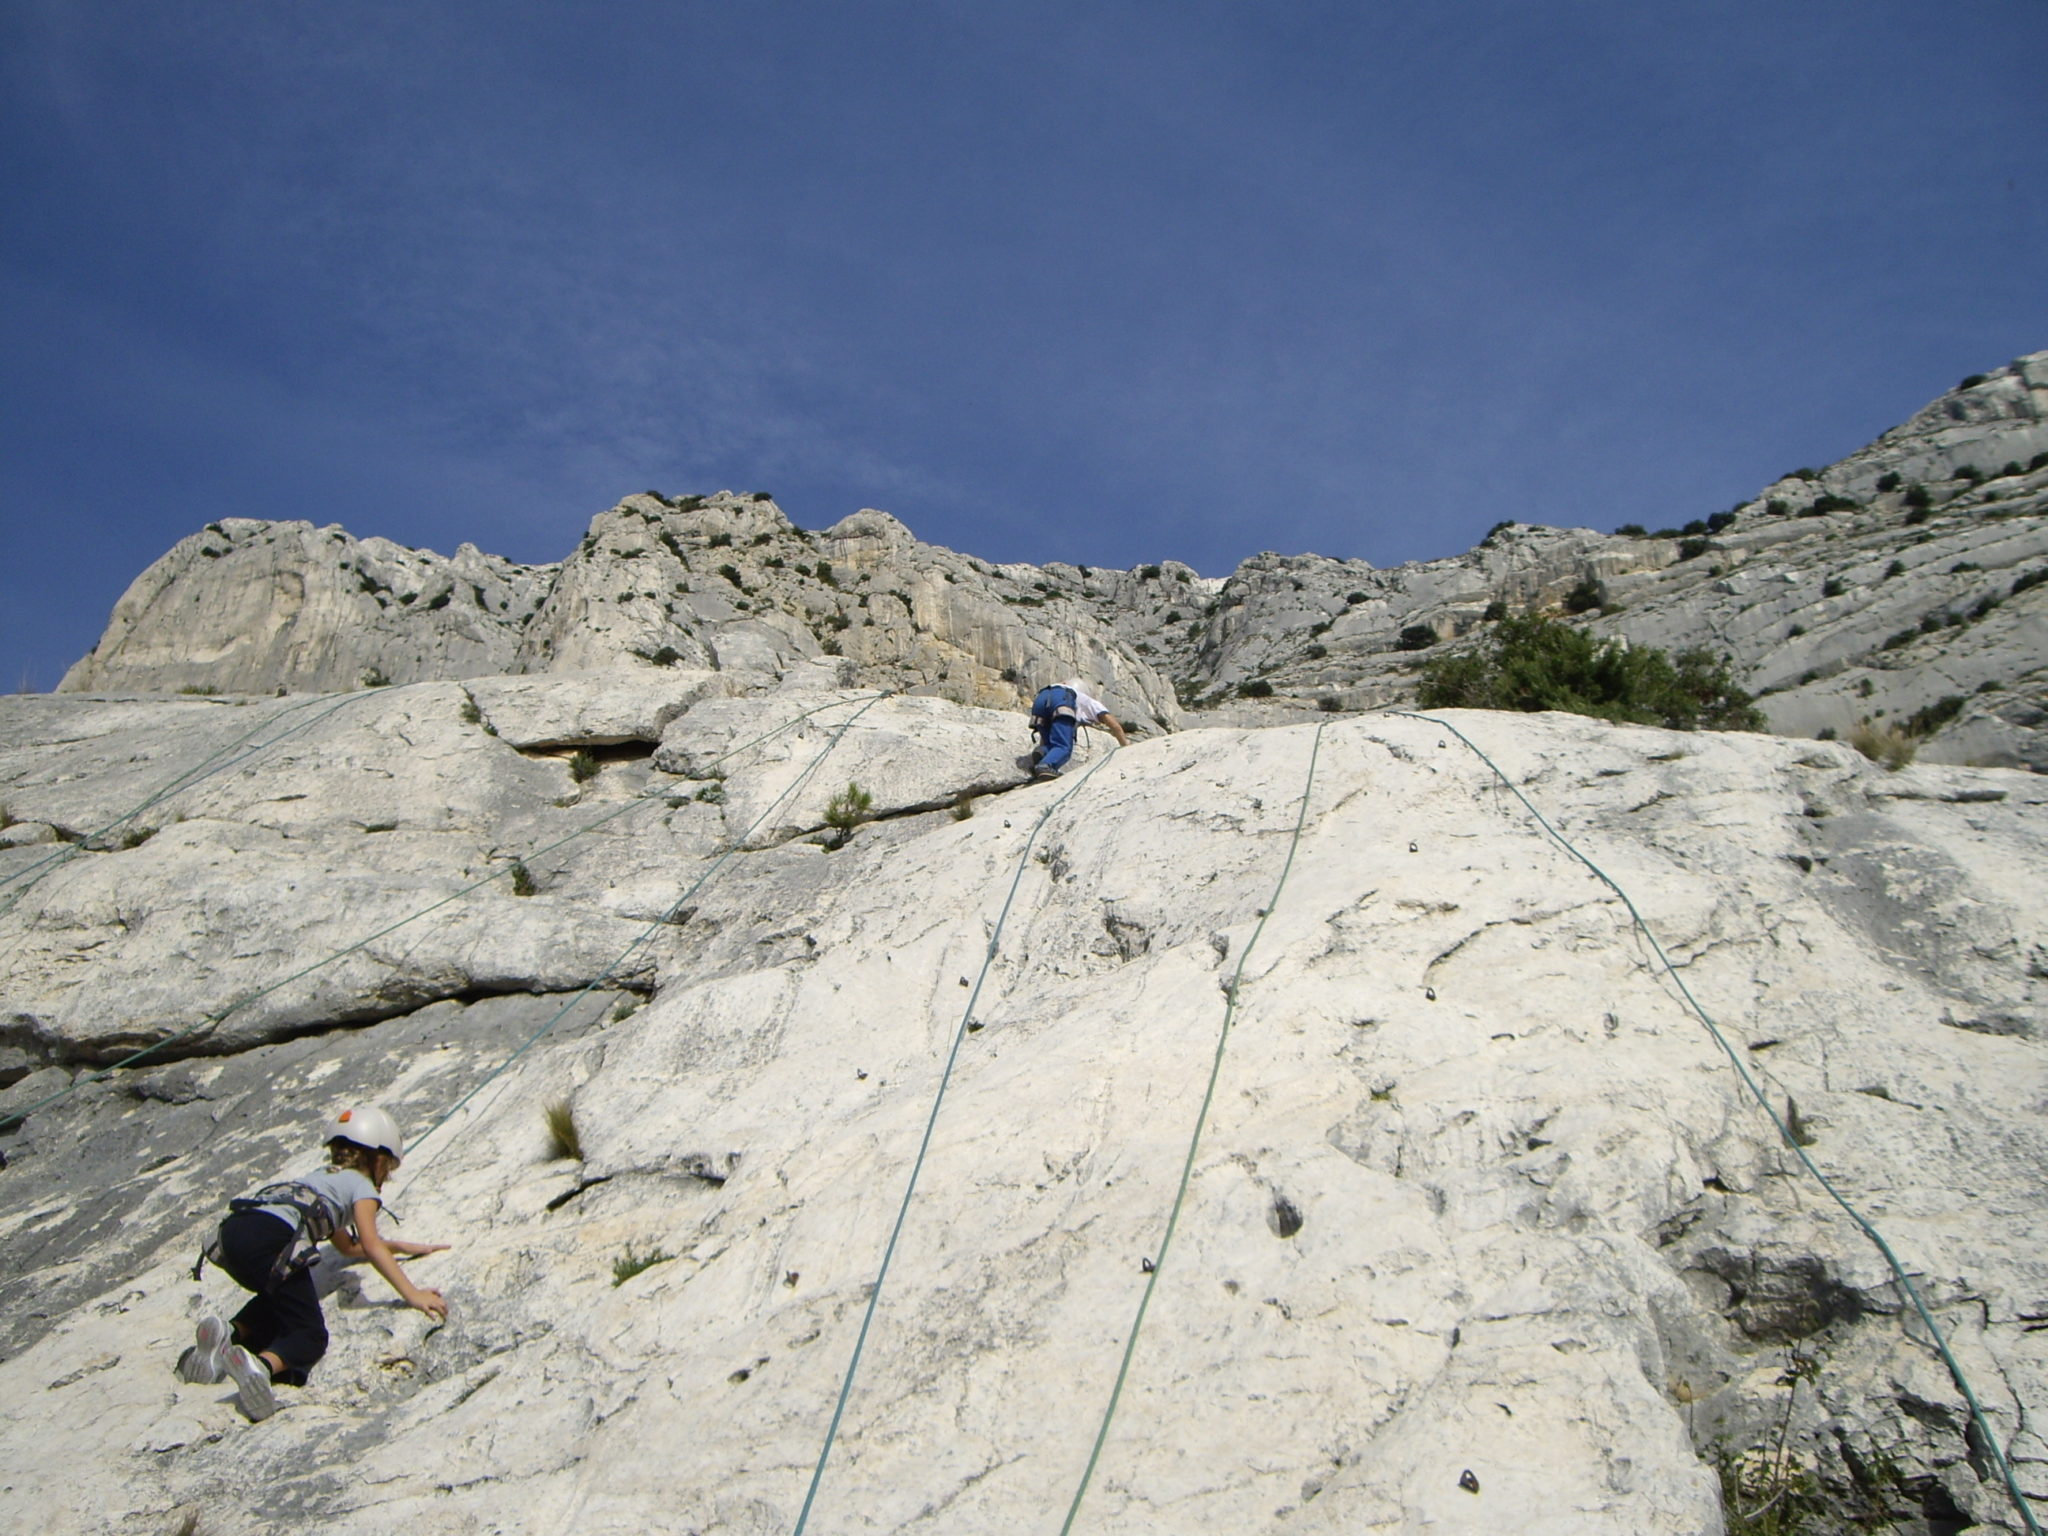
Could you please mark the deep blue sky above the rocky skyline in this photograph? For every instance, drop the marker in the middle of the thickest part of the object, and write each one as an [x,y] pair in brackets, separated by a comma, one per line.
[1105,282]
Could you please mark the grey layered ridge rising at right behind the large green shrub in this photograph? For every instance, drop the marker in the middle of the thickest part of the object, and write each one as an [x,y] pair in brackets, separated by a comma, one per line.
[1902,583]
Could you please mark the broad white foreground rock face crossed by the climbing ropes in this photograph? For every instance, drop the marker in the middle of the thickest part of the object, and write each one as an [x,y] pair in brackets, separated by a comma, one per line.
[1476,1193]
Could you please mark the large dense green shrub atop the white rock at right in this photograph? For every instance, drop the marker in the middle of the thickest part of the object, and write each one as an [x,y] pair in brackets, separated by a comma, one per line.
[1537,665]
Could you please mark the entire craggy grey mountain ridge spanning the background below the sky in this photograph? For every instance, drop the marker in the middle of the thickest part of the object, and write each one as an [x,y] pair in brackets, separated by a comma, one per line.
[1891,587]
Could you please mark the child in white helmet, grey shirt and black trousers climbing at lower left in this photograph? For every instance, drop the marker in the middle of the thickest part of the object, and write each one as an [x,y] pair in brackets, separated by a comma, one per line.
[269,1242]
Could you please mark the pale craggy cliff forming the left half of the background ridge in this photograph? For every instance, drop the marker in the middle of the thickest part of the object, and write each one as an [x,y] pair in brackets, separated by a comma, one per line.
[722,583]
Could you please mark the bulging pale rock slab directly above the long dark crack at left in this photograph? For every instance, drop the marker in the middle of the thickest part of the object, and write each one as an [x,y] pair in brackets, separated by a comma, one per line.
[130,947]
